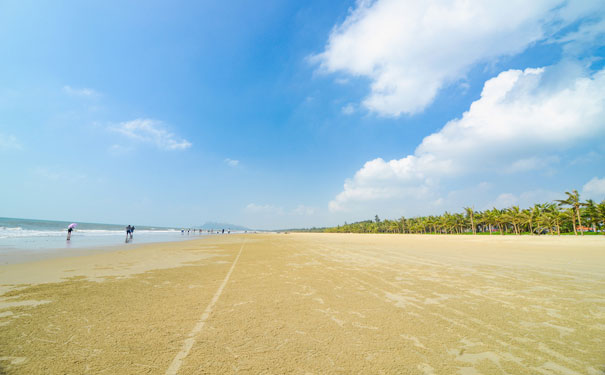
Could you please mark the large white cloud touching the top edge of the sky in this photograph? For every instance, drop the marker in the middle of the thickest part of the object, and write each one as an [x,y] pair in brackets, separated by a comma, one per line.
[411,49]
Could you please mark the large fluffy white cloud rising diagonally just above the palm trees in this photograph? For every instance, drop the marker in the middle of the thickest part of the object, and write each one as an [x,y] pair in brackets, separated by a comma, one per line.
[521,122]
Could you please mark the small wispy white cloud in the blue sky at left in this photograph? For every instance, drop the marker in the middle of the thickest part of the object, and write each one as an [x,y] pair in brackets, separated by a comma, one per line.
[153,132]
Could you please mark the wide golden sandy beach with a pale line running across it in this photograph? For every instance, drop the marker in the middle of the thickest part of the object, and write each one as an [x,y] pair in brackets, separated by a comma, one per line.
[312,303]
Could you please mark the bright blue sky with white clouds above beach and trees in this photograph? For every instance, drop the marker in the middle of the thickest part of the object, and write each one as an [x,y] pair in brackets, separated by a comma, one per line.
[284,114]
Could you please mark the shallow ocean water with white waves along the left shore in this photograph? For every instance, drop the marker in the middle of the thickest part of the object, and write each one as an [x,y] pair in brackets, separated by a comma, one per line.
[47,235]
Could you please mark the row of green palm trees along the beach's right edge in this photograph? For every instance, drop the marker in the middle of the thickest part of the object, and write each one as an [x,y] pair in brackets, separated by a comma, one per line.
[565,216]
